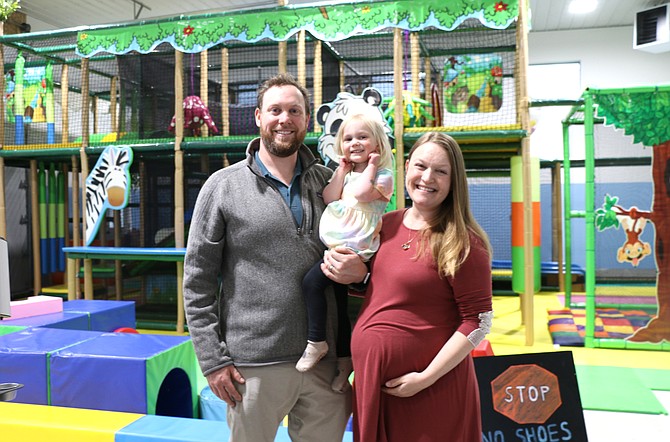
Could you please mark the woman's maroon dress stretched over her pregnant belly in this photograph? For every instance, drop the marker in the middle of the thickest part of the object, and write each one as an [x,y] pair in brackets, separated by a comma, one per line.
[408,315]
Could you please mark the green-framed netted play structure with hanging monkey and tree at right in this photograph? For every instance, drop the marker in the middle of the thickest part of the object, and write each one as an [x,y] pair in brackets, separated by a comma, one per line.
[631,209]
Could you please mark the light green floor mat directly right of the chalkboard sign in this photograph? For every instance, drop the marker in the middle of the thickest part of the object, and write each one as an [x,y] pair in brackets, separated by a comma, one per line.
[616,389]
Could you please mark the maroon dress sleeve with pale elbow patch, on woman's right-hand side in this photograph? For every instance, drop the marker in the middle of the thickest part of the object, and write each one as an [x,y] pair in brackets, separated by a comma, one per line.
[472,287]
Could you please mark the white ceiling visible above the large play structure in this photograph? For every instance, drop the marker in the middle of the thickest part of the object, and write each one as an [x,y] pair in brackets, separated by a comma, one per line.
[547,15]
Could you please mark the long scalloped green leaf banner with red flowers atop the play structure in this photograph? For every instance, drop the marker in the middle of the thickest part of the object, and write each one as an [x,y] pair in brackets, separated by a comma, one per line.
[326,23]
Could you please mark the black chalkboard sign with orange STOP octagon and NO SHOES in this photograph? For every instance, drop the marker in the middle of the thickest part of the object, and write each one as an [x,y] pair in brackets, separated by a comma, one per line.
[530,398]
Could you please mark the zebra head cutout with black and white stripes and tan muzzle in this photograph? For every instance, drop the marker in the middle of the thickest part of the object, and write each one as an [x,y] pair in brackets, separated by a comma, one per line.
[107,186]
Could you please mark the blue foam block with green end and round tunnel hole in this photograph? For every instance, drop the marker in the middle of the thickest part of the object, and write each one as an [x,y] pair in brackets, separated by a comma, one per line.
[136,373]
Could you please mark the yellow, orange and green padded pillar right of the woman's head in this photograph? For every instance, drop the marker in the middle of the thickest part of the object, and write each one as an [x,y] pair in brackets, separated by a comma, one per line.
[518,261]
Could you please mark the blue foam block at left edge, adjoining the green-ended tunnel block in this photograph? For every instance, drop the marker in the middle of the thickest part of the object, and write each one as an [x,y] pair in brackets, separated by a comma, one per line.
[24,355]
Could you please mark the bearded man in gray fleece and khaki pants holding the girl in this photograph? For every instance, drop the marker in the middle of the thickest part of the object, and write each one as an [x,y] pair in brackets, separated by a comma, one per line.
[252,238]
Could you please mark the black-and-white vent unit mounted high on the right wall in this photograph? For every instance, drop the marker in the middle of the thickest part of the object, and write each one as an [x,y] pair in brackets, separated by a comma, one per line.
[652,29]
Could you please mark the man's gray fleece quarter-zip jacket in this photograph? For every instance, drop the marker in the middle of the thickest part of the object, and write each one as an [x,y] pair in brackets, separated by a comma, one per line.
[245,260]
